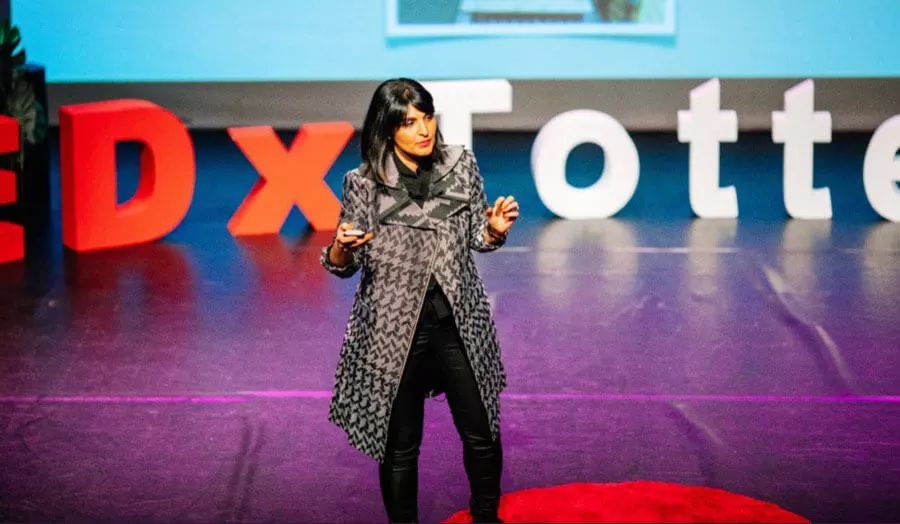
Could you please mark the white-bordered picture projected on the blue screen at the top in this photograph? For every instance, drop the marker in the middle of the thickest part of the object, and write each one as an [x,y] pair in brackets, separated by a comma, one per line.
[440,18]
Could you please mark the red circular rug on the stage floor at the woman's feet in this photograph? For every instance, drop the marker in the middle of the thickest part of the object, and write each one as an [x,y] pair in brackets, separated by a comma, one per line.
[640,501]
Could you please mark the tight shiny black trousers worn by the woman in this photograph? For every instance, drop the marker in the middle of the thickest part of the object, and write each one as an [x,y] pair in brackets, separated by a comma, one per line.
[437,346]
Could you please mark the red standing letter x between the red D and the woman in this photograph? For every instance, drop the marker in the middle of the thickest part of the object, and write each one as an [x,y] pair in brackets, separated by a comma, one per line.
[295,176]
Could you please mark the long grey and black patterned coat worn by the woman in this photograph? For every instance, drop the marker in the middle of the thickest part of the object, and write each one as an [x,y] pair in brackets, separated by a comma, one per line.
[409,244]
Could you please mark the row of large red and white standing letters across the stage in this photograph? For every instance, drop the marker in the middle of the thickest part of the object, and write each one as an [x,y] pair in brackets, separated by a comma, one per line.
[294,176]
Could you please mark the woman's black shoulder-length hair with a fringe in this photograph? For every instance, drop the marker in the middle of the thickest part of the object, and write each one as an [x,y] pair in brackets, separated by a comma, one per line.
[386,113]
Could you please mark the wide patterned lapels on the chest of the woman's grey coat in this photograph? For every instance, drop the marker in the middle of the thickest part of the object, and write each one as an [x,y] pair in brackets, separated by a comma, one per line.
[447,195]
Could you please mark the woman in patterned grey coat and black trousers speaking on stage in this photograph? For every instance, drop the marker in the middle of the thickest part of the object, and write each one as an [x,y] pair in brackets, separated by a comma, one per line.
[420,323]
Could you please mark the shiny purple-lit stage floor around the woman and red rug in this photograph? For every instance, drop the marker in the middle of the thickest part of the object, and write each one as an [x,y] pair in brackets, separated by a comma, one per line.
[188,380]
